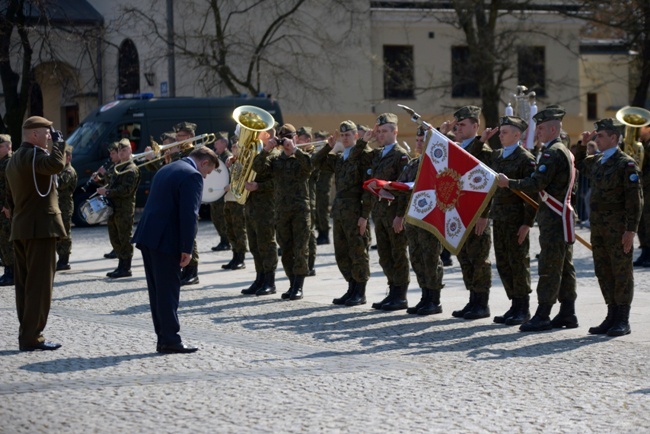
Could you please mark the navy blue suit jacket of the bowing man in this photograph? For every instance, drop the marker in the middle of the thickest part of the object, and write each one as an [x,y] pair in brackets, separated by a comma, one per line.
[169,220]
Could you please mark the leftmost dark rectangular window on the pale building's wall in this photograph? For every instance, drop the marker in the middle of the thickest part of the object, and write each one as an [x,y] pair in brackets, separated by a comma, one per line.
[399,73]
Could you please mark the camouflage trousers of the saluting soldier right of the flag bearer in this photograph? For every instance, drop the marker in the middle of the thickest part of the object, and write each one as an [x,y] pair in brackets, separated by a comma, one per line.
[613,267]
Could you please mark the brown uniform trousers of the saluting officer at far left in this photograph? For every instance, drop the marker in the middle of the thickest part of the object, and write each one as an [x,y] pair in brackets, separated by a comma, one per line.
[35,262]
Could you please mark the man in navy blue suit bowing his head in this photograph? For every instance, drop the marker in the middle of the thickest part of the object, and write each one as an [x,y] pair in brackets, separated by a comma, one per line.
[165,236]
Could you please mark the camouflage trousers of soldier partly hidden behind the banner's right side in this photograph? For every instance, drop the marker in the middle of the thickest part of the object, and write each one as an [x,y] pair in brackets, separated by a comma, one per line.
[474,259]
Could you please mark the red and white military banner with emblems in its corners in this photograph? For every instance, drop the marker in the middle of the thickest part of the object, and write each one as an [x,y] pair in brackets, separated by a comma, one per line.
[451,191]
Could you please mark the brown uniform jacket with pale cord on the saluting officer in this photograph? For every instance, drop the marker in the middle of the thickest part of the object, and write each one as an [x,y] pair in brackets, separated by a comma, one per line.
[34,216]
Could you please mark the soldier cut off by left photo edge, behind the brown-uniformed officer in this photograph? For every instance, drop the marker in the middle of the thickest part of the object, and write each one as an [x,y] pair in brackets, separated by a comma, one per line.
[6,247]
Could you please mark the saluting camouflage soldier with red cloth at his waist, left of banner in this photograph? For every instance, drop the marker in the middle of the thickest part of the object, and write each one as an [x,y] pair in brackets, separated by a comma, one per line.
[387,163]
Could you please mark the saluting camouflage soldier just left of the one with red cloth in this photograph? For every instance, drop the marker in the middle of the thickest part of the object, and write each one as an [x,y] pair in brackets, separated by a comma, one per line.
[350,240]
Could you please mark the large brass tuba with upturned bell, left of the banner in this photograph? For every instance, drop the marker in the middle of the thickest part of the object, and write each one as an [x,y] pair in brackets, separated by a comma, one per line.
[252,121]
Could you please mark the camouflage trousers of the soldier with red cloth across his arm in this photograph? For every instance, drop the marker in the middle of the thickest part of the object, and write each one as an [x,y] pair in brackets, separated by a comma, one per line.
[392,251]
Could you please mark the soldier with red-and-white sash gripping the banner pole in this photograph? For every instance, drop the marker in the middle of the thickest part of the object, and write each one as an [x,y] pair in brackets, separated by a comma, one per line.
[552,176]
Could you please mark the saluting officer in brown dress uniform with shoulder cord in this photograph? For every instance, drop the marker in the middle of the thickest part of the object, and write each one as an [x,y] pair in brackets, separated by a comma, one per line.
[35,227]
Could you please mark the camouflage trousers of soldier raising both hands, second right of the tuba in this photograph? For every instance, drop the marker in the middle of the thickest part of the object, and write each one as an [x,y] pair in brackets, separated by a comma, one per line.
[292,228]
